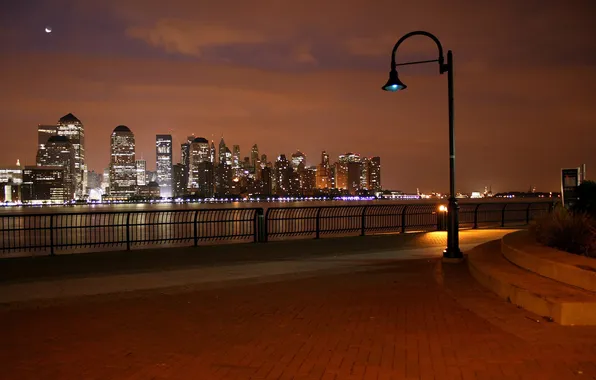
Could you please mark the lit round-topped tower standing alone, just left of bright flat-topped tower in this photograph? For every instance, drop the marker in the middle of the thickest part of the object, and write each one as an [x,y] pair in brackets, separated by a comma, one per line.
[123,168]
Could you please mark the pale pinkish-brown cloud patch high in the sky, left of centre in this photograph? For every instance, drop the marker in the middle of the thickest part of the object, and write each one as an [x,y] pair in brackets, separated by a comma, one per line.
[191,38]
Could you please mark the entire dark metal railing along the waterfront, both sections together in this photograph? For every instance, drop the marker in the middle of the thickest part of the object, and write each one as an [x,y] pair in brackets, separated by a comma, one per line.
[127,230]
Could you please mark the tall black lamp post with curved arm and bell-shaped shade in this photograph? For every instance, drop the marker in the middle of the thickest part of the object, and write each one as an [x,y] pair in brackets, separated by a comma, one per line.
[395,84]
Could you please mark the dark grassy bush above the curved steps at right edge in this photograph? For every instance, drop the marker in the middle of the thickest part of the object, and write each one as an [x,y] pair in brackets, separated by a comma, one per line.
[573,232]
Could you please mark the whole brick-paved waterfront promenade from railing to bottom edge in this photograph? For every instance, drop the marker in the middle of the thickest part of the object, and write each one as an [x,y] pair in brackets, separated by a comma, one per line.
[378,307]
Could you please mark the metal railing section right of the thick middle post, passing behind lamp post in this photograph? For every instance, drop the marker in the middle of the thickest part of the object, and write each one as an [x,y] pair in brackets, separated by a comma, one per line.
[284,222]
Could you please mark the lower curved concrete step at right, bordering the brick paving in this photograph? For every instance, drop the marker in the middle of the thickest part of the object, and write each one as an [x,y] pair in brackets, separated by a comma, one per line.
[565,304]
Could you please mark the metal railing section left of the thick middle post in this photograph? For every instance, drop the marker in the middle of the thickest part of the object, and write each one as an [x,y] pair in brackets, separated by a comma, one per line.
[52,232]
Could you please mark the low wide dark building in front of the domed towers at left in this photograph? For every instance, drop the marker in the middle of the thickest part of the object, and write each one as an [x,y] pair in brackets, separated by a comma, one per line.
[44,184]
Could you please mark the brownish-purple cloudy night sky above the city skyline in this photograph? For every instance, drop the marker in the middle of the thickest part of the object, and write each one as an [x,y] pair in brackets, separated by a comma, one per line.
[306,75]
